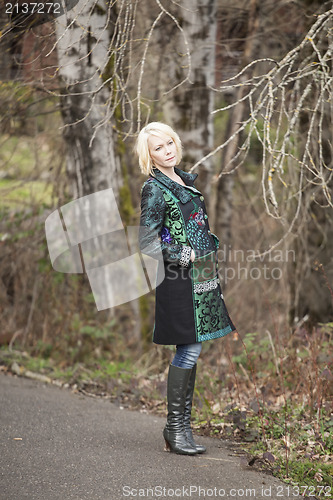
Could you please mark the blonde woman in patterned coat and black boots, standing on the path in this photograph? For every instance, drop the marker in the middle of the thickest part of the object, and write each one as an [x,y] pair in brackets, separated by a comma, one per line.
[189,307]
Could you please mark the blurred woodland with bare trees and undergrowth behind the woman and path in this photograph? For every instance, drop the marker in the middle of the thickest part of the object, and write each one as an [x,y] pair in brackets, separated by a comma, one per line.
[248,87]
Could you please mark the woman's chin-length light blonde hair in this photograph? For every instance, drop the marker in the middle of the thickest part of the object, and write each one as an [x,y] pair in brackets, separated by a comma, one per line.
[142,150]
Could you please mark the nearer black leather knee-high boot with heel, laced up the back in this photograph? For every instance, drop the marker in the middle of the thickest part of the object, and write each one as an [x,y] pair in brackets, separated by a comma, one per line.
[174,432]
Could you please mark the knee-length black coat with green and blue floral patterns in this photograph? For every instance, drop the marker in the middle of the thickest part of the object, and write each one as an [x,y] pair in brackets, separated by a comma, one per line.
[189,303]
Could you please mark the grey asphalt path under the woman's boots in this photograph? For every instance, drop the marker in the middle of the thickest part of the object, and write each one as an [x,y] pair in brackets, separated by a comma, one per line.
[60,445]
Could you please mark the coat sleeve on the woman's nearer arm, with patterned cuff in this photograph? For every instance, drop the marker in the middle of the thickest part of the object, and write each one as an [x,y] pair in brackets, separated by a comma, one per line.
[153,208]
